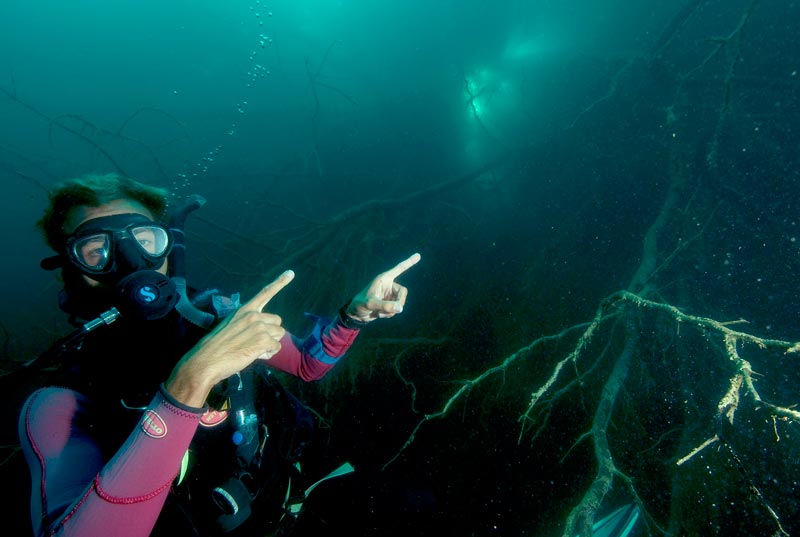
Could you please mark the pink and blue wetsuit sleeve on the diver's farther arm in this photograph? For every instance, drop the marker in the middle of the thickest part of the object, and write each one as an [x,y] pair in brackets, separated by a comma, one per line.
[311,358]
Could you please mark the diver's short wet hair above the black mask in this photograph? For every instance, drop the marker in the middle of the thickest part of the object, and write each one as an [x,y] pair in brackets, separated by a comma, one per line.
[93,191]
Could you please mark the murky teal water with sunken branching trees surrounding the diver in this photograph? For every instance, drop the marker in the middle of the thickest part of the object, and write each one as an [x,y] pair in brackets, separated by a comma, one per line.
[604,194]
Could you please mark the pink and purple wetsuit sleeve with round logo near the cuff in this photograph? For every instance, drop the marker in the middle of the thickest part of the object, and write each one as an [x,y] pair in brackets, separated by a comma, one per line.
[74,492]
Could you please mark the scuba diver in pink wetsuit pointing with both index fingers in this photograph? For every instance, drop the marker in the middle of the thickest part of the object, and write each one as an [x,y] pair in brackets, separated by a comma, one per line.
[165,416]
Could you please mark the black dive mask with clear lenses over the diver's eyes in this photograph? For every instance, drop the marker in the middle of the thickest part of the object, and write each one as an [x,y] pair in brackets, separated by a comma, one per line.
[109,248]
